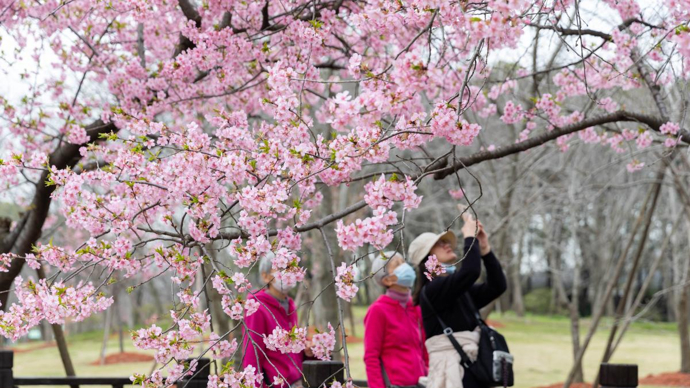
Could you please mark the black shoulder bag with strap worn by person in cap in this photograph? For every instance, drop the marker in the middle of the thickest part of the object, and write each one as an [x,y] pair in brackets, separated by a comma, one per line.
[494,364]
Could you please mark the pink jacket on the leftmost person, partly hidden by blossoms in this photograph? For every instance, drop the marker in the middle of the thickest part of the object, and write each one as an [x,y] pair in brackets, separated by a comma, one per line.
[267,361]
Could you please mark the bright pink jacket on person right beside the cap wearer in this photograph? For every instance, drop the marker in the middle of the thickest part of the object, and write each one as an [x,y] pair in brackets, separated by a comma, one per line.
[394,335]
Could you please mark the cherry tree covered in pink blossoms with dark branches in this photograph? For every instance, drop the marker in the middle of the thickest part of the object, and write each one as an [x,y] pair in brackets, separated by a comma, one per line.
[163,132]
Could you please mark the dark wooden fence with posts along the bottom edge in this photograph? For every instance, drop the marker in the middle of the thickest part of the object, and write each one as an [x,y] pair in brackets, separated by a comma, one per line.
[315,373]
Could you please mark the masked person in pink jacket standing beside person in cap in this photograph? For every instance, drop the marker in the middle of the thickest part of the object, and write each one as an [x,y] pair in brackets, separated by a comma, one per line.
[394,351]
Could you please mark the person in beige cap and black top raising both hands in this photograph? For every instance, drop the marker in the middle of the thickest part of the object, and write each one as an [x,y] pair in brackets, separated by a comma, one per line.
[446,295]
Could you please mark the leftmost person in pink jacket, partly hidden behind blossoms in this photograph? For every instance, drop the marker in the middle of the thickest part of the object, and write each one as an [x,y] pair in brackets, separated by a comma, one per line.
[277,308]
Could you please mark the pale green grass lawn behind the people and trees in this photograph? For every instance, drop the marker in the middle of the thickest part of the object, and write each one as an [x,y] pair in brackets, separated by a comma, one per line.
[541,346]
